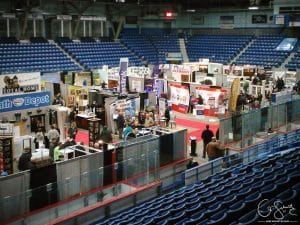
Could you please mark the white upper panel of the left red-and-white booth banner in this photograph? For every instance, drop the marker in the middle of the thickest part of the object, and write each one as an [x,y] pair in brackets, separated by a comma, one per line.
[179,94]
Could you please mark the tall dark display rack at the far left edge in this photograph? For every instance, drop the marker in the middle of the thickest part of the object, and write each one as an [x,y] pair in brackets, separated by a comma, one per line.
[6,154]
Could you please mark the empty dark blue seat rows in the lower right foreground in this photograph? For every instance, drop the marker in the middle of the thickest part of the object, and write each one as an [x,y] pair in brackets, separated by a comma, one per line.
[227,197]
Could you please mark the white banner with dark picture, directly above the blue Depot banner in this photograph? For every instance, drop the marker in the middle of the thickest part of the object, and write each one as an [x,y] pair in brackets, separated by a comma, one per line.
[20,83]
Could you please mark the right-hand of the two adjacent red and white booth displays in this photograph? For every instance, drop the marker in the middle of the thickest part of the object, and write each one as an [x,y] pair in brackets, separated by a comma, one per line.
[214,100]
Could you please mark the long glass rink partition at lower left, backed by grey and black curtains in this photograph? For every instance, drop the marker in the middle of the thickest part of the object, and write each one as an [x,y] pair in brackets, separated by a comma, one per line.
[82,181]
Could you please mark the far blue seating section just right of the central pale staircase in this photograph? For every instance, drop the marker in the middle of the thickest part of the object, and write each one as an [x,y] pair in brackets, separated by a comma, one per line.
[218,48]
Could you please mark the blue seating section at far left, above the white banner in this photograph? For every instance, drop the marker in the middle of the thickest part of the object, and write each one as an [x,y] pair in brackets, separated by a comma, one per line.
[28,57]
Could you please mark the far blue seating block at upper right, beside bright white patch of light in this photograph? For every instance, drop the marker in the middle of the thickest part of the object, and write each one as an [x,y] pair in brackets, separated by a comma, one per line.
[262,52]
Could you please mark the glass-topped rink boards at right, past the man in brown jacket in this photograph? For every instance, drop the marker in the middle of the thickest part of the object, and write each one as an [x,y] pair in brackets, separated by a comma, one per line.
[243,129]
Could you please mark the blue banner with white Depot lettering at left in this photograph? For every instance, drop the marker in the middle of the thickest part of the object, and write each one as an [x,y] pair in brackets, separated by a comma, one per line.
[24,101]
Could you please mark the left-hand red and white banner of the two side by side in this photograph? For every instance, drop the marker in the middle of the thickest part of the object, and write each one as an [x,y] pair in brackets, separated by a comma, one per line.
[179,97]
